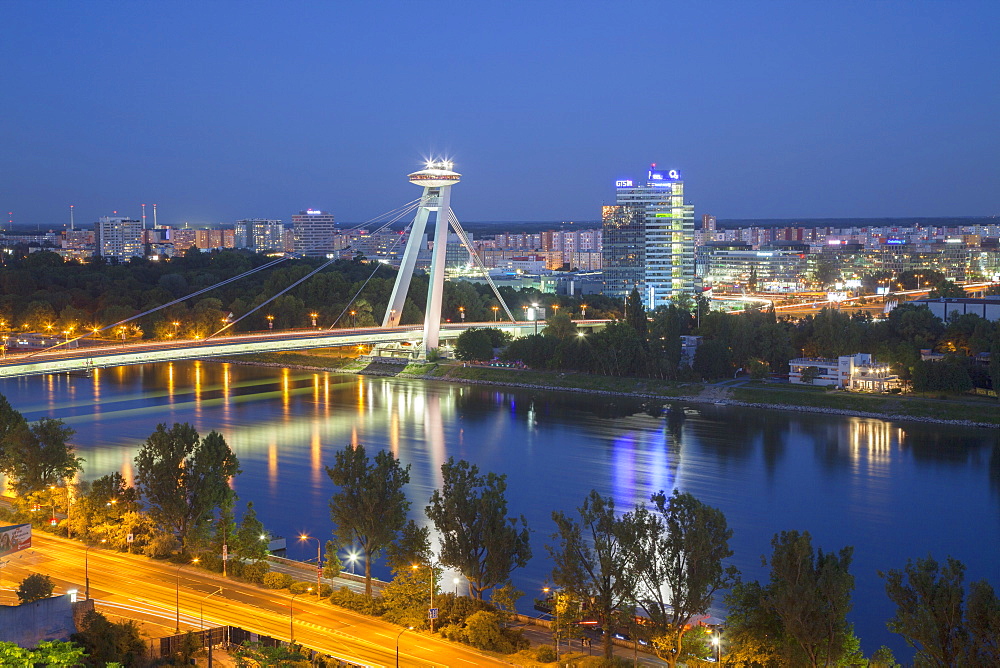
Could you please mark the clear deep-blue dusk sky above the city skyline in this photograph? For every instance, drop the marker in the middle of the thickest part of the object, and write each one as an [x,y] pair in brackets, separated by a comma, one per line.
[224,110]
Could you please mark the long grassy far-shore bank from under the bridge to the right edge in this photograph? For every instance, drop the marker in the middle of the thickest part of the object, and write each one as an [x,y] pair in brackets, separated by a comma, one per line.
[970,412]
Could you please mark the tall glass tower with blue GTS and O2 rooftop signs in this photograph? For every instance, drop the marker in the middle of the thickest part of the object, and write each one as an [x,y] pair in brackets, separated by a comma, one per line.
[649,239]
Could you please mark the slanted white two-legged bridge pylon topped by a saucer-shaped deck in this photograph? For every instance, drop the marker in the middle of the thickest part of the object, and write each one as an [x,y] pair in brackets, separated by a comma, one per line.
[436,178]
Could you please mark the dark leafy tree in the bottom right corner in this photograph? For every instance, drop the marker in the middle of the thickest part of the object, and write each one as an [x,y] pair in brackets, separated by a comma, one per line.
[931,617]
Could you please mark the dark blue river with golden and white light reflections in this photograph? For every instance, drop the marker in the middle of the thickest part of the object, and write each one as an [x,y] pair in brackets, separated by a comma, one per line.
[892,490]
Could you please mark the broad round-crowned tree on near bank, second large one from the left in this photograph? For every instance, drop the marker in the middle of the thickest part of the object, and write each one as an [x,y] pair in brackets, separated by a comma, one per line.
[184,480]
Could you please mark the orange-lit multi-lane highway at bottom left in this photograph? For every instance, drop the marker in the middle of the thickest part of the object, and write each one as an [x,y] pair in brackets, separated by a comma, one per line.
[130,585]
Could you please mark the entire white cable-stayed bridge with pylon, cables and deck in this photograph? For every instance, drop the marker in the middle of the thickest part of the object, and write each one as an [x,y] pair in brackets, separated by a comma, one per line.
[436,179]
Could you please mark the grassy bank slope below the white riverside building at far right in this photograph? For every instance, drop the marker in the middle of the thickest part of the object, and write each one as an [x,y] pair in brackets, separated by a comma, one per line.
[965,408]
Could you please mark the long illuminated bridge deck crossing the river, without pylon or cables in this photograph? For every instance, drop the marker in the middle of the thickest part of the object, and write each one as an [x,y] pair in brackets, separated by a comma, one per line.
[408,338]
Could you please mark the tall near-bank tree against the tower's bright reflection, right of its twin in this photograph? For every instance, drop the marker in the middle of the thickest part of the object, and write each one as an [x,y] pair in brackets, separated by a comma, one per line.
[680,566]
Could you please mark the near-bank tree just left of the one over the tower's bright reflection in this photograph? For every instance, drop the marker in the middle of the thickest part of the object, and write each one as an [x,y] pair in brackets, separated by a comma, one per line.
[595,560]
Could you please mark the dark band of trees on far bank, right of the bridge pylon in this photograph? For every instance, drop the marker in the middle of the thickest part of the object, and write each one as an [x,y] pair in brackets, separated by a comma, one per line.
[756,341]
